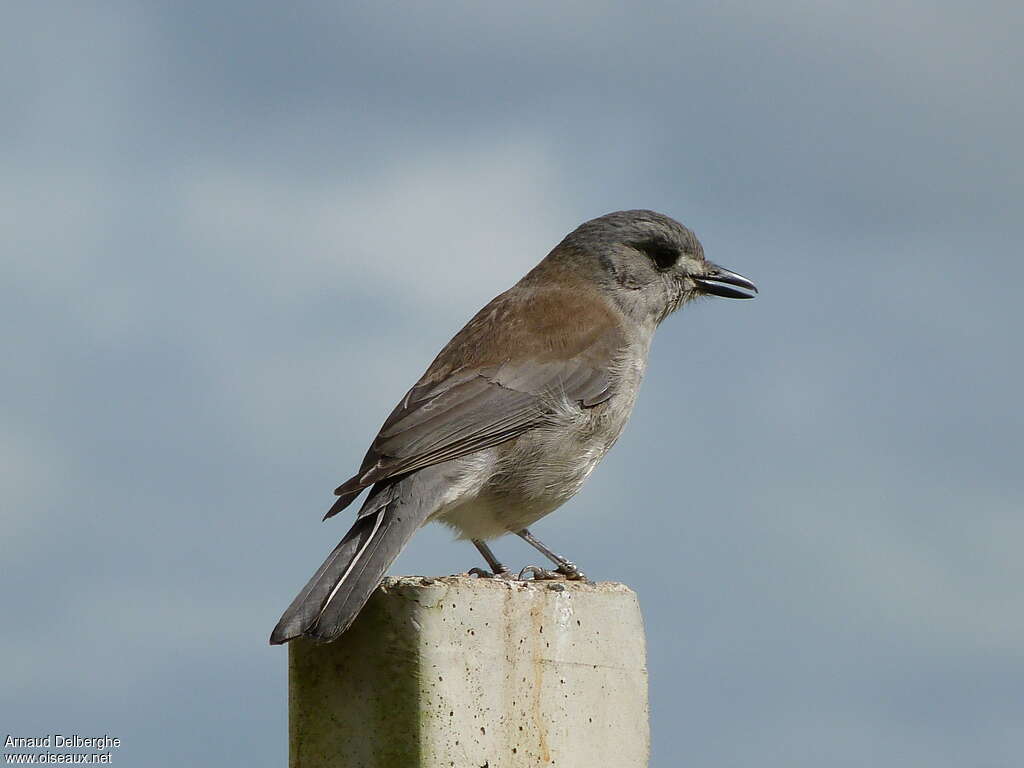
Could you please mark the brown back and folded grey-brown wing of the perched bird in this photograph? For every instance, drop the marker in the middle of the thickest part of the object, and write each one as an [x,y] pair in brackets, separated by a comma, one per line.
[494,381]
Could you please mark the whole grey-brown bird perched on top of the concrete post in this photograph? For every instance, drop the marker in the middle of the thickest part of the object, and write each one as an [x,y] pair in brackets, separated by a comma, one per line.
[517,411]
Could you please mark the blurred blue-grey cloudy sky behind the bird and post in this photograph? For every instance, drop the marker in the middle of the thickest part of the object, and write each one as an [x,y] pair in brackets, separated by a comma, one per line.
[234,234]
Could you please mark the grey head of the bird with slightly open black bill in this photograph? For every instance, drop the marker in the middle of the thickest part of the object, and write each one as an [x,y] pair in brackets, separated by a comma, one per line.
[650,264]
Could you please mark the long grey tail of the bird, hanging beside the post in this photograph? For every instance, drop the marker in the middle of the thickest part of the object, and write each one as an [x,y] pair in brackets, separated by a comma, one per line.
[339,589]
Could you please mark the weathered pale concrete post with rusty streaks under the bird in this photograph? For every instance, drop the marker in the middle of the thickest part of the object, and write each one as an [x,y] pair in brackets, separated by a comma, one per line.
[464,673]
